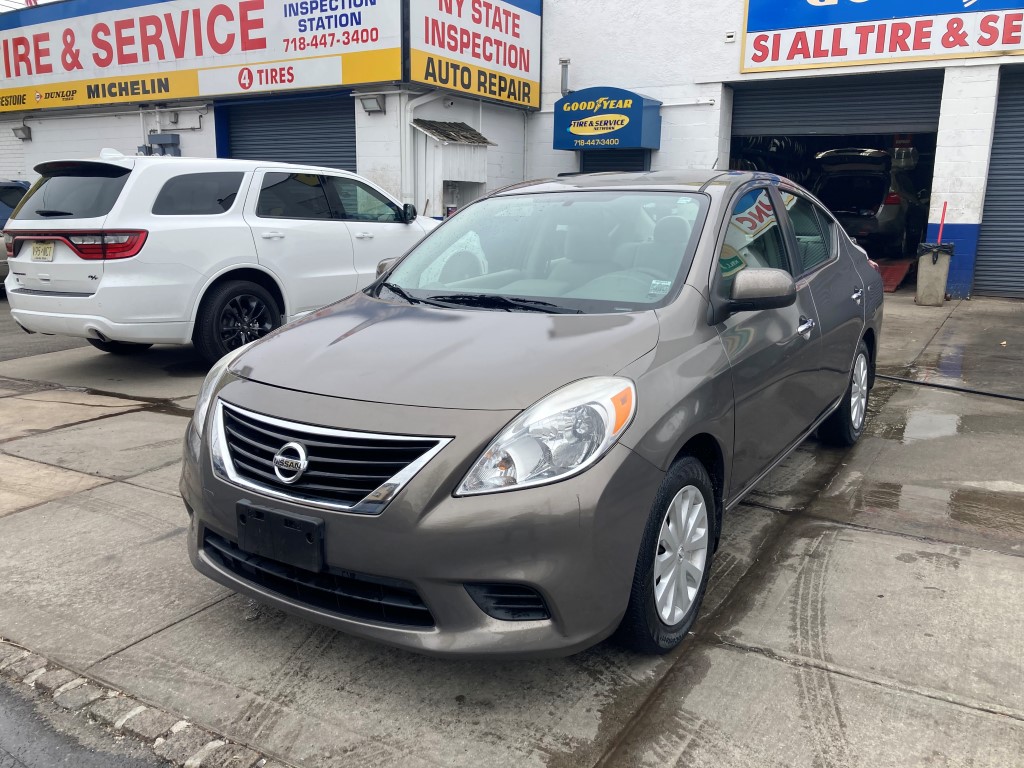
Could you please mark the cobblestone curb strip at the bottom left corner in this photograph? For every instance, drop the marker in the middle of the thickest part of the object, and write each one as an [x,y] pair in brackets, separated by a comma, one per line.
[179,742]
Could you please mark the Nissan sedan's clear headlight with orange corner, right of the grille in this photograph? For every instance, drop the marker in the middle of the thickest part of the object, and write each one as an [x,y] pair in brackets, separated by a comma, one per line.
[561,437]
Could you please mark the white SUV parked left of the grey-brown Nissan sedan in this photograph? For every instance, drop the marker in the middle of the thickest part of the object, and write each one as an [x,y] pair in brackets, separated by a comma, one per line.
[131,252]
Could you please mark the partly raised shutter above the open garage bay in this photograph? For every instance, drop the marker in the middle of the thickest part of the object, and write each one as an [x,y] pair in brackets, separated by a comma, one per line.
[900,103]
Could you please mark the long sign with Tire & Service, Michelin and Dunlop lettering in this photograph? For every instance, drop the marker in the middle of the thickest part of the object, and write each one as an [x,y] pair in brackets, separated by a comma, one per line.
[107,52]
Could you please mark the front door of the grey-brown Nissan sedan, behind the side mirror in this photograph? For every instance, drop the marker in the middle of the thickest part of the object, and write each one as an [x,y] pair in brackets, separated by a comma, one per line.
[775,355]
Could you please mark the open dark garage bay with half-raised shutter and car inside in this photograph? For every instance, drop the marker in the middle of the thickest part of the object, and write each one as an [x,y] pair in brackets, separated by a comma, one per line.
[865,145]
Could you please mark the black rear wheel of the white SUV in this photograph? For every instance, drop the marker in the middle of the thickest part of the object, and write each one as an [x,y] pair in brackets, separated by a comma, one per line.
[233,315]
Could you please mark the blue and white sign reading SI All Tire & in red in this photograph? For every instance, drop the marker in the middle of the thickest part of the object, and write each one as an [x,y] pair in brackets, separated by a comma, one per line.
[808,34]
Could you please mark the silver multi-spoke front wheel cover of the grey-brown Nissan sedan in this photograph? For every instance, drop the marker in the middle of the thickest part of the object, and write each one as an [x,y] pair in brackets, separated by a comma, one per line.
[682,556]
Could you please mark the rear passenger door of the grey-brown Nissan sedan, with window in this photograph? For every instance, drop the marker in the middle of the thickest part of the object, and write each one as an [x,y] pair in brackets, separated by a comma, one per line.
[837,288]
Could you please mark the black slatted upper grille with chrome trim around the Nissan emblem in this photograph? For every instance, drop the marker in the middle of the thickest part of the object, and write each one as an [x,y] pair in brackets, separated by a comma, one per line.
[345,467]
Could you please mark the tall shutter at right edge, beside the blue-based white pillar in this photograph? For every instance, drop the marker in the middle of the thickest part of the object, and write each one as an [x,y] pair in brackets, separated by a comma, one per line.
[1000,270]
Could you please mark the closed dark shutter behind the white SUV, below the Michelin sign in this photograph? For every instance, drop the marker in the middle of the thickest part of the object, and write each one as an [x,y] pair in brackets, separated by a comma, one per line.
[306,132]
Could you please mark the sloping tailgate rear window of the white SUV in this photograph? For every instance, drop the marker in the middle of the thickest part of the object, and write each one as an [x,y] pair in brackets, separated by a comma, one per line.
[78,191]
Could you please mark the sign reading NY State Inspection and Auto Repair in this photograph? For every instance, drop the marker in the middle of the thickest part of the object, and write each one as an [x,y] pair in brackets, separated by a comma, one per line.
[486,49]
